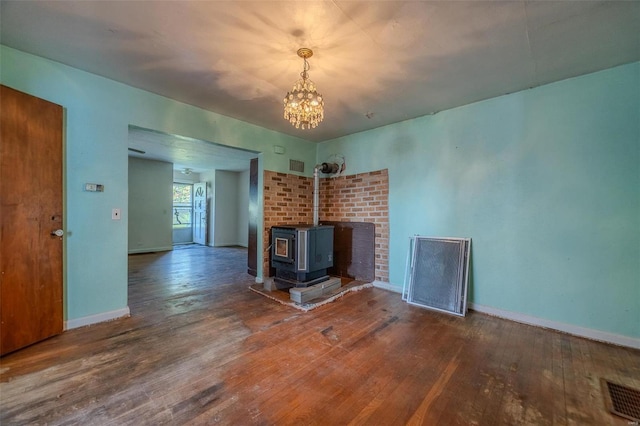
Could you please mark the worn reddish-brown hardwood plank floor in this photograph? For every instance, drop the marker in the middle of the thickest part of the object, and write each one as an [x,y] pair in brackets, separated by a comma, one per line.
[200,348]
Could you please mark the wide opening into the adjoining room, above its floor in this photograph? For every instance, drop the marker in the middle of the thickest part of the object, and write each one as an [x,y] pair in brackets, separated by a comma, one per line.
[202,191]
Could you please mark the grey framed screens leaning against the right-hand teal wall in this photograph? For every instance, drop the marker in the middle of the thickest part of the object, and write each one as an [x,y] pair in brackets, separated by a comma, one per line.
[439,270]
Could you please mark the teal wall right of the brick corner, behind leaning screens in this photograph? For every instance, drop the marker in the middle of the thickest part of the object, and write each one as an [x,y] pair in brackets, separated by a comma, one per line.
[546,182]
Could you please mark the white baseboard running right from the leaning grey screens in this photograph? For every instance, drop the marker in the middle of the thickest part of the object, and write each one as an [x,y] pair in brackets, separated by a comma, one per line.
[601,336]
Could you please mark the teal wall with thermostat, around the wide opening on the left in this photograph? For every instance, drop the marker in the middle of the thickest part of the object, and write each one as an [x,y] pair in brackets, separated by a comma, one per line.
[98,114]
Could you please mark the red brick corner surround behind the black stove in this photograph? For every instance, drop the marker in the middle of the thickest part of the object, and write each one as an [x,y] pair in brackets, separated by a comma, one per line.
[288,199]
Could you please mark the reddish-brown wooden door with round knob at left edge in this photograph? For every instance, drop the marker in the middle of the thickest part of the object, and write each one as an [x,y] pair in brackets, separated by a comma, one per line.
[30,210]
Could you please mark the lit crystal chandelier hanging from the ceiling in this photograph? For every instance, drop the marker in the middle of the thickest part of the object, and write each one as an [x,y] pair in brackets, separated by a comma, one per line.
[303,105]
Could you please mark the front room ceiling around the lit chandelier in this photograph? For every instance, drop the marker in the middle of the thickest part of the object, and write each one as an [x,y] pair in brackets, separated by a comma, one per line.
[375,62]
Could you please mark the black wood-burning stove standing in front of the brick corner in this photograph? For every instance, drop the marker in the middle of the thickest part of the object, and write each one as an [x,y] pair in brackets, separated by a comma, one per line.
[301,254]
